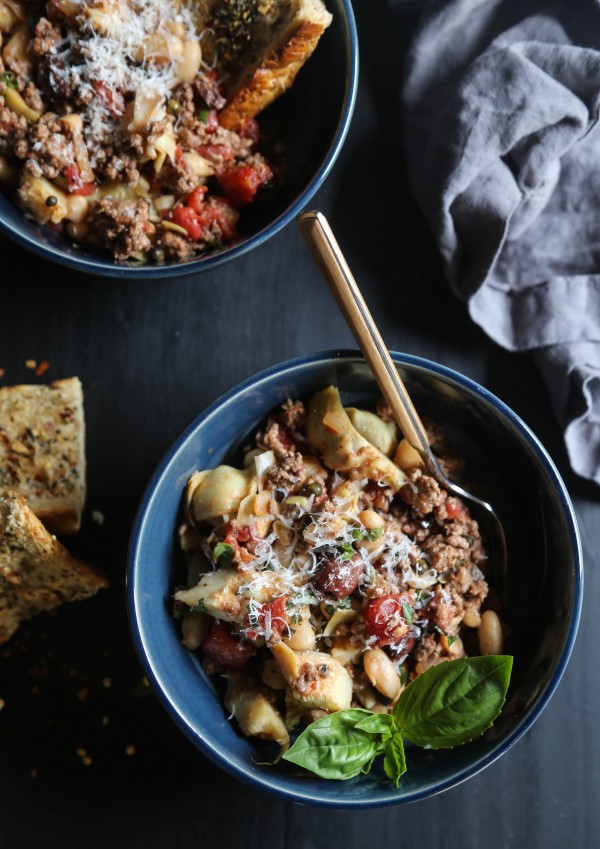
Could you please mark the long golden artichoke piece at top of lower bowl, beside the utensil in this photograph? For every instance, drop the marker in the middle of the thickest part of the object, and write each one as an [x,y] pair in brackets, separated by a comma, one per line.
[341,445]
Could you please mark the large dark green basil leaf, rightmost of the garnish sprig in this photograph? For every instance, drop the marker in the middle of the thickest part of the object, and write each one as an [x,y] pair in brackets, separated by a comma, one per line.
[454,702]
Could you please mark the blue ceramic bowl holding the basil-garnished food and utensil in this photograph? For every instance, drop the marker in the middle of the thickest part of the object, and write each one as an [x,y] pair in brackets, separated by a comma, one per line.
[524,485]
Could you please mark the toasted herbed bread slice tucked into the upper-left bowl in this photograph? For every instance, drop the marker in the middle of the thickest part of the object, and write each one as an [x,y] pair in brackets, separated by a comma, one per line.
[258,47]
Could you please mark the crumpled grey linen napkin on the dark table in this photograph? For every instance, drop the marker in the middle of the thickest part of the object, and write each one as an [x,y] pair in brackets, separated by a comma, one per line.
[501,102]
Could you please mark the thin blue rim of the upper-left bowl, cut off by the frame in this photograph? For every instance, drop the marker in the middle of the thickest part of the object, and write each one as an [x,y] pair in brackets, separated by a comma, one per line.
[101,266]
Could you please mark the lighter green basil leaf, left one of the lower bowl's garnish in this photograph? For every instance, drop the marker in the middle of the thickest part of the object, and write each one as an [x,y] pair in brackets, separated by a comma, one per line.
[333,747]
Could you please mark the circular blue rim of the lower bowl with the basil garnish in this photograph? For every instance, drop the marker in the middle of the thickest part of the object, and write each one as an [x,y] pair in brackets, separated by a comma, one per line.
[280,787]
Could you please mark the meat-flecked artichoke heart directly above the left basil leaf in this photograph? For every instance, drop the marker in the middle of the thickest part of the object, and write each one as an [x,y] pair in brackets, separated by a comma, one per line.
[315,679]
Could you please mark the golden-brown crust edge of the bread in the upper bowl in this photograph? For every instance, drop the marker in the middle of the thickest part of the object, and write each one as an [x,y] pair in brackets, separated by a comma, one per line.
[267,75]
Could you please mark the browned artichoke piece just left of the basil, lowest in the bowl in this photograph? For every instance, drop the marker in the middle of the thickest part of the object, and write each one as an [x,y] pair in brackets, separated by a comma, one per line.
[254,713]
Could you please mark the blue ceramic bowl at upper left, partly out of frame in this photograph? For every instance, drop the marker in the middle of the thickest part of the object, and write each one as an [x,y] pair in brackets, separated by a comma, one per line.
[311,120]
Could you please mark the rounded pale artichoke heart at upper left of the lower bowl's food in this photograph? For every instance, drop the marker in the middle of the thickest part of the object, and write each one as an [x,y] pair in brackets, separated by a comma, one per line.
[218,492]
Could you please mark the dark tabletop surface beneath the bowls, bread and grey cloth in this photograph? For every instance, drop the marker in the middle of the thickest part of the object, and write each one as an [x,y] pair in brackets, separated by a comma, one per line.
[87,756]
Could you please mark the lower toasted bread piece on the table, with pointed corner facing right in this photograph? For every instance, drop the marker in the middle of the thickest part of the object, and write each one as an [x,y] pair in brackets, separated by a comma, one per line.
[36,572]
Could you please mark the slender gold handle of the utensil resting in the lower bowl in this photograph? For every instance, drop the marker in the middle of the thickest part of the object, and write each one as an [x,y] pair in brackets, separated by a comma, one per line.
[326,251]
